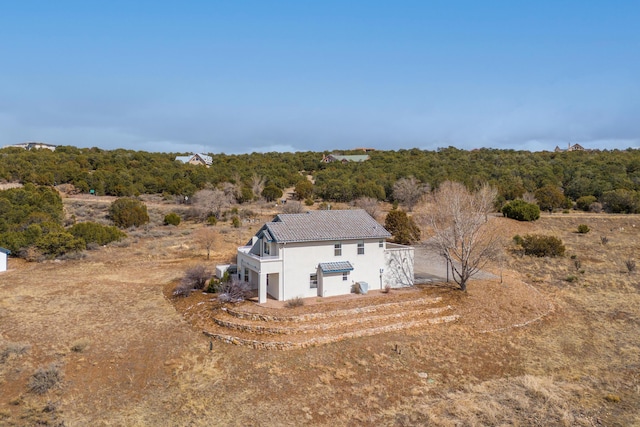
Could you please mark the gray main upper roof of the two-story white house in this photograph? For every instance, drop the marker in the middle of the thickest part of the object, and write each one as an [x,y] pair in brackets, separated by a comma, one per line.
[325,225]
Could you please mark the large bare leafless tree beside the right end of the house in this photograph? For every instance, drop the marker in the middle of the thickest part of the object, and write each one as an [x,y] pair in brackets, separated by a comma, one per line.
[462,235]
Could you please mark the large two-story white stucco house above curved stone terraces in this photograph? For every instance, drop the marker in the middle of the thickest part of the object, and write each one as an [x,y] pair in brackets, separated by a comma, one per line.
[322,253]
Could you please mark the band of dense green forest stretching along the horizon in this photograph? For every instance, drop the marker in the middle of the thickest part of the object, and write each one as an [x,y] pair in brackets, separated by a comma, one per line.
[610,177]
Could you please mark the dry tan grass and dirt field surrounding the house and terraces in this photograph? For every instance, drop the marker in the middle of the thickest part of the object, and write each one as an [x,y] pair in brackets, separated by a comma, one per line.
[553,344]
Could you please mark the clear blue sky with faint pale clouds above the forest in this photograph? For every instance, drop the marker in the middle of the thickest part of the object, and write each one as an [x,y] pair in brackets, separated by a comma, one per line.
[243,76]
